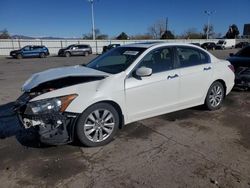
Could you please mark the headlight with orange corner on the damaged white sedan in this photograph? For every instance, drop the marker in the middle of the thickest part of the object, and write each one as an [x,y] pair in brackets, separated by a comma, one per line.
[45,106]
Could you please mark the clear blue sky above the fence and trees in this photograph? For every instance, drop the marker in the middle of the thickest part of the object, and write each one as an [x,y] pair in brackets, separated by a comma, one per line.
[72,18]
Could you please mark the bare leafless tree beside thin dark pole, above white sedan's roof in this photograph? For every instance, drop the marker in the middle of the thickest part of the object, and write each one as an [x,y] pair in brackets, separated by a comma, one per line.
[157,29]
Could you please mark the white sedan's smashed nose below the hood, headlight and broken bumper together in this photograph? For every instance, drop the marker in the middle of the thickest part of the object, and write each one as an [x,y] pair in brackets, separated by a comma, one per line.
[48,117]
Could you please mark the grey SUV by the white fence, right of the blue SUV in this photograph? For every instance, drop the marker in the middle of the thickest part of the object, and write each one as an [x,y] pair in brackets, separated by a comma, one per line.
[75,49]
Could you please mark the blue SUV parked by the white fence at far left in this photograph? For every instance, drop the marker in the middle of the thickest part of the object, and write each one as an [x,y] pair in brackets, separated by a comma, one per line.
[30,51]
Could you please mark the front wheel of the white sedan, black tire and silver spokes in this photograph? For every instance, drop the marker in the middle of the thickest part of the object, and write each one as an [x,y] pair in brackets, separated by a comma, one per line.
[97,125]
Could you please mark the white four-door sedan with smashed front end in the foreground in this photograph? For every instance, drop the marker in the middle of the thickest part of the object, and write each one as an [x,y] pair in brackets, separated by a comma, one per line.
[124,85]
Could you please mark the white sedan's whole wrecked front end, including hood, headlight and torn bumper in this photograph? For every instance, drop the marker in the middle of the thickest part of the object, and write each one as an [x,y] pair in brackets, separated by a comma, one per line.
[49,116]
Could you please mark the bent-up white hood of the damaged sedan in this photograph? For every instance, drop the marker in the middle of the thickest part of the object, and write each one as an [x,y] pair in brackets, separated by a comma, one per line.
[63,72]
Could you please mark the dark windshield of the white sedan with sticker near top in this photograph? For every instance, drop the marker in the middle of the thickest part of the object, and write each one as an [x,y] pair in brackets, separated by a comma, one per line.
[116,60]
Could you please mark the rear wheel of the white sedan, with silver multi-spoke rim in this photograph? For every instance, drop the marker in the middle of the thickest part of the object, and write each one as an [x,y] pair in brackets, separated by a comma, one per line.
[215,96]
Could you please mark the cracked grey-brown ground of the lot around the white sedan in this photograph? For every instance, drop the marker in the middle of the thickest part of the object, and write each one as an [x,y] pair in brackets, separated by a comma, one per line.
[189,148]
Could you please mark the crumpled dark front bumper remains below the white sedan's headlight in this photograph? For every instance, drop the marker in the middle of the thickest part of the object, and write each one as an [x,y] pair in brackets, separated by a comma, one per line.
[54,128]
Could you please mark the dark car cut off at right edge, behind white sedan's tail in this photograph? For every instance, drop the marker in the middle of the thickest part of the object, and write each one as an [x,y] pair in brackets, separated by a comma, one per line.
[241,63]
